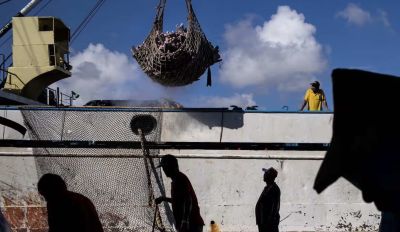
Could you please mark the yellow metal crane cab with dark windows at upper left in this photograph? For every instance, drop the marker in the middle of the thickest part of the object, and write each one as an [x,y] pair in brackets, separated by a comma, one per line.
[40,55]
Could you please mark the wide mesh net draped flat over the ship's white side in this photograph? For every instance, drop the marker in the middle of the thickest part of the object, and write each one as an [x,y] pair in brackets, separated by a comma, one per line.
[122,183]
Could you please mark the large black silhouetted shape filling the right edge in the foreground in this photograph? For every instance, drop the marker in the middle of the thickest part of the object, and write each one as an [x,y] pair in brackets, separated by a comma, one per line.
[365,147]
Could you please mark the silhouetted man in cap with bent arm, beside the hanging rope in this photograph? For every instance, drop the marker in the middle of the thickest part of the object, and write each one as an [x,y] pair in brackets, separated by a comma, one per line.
[185,206]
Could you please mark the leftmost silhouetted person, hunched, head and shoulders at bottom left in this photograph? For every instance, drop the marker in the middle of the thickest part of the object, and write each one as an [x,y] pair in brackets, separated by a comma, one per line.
[67,211]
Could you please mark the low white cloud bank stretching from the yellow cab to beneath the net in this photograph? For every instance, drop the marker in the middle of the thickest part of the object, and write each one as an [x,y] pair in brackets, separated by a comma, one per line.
[101,74]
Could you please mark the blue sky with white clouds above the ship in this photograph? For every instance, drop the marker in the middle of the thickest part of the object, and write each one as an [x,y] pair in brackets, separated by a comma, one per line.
[278,56]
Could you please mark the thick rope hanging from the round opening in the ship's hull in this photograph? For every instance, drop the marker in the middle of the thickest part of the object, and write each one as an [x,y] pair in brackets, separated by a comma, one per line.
[152,200]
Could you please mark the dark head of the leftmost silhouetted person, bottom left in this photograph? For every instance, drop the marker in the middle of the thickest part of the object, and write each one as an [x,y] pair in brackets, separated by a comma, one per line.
[50,185]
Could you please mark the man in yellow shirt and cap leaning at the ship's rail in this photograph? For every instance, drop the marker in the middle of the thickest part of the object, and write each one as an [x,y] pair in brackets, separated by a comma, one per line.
[315,97]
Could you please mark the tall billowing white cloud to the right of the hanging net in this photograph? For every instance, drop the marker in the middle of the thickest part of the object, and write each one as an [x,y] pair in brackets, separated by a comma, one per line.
[281,53]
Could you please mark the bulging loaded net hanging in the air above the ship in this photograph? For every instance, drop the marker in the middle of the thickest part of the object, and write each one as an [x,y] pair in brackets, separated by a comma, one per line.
[184,66]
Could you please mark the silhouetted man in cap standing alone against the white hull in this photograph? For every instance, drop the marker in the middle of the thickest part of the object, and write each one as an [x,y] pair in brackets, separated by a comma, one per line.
[268,205]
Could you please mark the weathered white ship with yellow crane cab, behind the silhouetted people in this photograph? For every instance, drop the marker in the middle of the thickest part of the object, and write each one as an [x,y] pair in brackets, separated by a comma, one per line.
[107,150]
